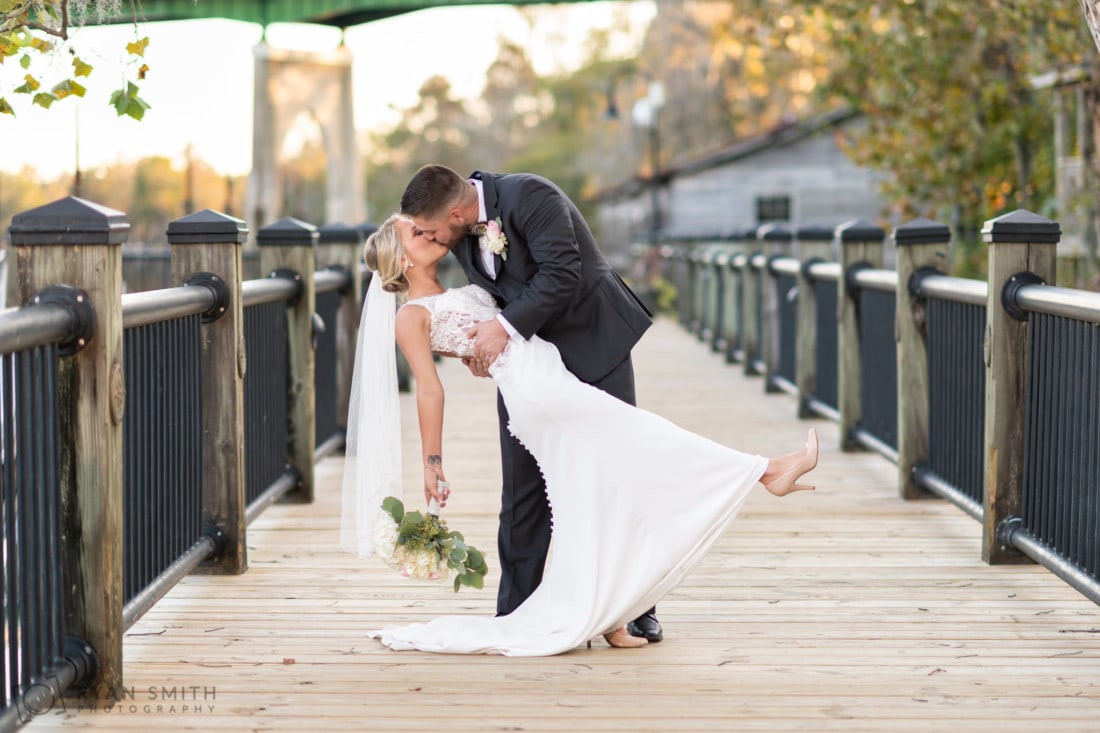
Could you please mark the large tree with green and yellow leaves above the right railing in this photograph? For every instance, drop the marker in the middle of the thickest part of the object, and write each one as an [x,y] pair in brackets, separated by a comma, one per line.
[945,86]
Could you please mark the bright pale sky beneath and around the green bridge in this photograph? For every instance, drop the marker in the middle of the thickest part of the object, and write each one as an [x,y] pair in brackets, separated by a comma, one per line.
[200,84]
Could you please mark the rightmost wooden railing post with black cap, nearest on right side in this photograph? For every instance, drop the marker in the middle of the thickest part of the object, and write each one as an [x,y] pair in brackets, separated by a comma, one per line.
[1022,248]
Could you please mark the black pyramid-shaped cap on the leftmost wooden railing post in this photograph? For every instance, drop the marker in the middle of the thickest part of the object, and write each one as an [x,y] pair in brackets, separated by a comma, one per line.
[69,221]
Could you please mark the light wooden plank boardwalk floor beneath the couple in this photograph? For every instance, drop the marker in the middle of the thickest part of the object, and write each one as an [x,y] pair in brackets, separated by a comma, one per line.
[841,610]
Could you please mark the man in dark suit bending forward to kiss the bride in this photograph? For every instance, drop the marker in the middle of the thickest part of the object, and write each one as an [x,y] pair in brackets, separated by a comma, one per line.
[521,238]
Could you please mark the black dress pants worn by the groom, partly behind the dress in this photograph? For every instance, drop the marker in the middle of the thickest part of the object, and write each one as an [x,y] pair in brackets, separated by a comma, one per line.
[524,539]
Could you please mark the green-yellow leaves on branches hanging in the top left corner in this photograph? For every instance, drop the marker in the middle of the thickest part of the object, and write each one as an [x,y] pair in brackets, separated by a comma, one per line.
[42,28]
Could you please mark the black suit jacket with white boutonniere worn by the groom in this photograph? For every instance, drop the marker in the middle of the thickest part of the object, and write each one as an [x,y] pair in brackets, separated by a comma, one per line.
[555,282]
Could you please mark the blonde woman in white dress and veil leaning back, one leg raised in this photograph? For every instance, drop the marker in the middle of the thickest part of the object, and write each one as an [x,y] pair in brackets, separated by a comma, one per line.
[636,500]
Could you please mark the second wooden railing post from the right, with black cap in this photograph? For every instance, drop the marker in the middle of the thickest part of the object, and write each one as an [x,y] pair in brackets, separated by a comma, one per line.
[920,246]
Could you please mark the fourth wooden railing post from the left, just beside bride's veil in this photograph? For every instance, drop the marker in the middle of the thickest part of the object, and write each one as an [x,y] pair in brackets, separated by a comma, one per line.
[343,247]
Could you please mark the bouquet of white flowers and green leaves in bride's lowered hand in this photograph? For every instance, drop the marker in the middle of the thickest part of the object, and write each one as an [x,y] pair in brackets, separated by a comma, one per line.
[421,546]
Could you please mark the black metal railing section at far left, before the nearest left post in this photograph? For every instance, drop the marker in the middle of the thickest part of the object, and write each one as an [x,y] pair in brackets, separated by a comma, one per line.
[39,662]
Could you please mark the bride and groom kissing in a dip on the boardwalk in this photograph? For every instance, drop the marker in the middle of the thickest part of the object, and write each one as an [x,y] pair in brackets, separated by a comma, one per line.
[632,500]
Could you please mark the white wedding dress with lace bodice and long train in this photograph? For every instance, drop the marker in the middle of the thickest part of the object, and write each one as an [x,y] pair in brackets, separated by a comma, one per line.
[636,500]
